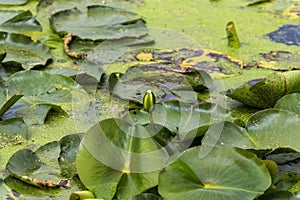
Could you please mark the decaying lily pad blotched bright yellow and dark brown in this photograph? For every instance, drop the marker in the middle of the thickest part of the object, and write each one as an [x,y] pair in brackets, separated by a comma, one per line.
[185,60]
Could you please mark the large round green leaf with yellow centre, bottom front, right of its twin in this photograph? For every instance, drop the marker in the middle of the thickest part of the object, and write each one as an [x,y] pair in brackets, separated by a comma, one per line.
[225,173]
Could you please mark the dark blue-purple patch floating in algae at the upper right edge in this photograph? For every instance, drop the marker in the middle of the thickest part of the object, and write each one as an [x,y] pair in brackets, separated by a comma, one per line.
[288,34]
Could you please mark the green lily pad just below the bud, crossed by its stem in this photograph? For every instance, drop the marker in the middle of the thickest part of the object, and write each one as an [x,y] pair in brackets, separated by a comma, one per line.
[183,118]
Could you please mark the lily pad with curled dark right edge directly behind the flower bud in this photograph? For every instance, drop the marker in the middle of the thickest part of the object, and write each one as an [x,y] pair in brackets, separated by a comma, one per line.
[164,83]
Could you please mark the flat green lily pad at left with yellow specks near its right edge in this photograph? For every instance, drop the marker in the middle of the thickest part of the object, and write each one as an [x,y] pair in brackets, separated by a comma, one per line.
[51,88]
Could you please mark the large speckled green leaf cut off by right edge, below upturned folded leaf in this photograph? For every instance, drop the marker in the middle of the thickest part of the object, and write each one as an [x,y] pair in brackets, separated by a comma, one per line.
[271,129]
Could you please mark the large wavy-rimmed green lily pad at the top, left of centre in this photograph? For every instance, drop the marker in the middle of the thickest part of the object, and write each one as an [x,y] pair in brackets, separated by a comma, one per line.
[99,23]
